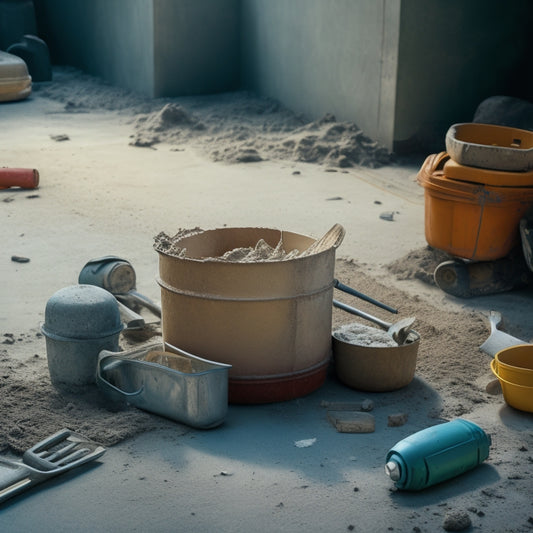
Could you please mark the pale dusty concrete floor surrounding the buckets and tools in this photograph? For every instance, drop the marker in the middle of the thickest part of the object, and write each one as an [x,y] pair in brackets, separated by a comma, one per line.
[100,195]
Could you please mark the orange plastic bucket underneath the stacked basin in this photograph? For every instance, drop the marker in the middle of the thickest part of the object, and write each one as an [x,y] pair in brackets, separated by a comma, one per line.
[470,220]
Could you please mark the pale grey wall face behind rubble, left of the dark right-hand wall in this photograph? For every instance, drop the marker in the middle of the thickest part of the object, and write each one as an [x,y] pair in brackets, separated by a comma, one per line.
[321,57]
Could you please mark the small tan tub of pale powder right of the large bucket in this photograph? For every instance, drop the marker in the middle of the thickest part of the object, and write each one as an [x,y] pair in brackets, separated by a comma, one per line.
[369,359]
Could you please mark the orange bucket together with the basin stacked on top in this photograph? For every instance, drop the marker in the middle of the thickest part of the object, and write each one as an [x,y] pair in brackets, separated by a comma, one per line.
[478,190]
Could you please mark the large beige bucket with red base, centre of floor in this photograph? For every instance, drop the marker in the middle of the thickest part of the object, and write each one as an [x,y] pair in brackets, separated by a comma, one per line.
[270,320]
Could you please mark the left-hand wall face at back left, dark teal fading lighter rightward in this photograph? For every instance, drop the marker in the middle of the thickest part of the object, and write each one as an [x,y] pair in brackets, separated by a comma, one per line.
[113,39]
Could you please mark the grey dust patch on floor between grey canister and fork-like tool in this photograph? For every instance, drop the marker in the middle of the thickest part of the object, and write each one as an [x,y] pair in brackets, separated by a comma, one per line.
[33,408]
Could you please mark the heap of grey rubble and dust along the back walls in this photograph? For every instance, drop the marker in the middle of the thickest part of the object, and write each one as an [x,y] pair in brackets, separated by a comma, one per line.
[236,127]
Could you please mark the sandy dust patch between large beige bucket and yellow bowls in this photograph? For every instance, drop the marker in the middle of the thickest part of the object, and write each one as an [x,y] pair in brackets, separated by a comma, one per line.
[448,358]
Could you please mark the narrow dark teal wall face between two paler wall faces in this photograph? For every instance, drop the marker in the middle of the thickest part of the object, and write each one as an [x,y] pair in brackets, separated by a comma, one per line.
[196,45]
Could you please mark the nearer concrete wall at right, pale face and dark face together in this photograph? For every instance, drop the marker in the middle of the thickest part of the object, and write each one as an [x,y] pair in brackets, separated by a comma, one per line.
[402,70]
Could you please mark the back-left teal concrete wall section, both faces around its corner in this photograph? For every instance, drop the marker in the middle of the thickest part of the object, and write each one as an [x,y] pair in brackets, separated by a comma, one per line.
[155,47]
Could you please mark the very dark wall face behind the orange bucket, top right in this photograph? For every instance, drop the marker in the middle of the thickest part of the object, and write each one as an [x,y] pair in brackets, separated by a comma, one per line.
[452,55]
